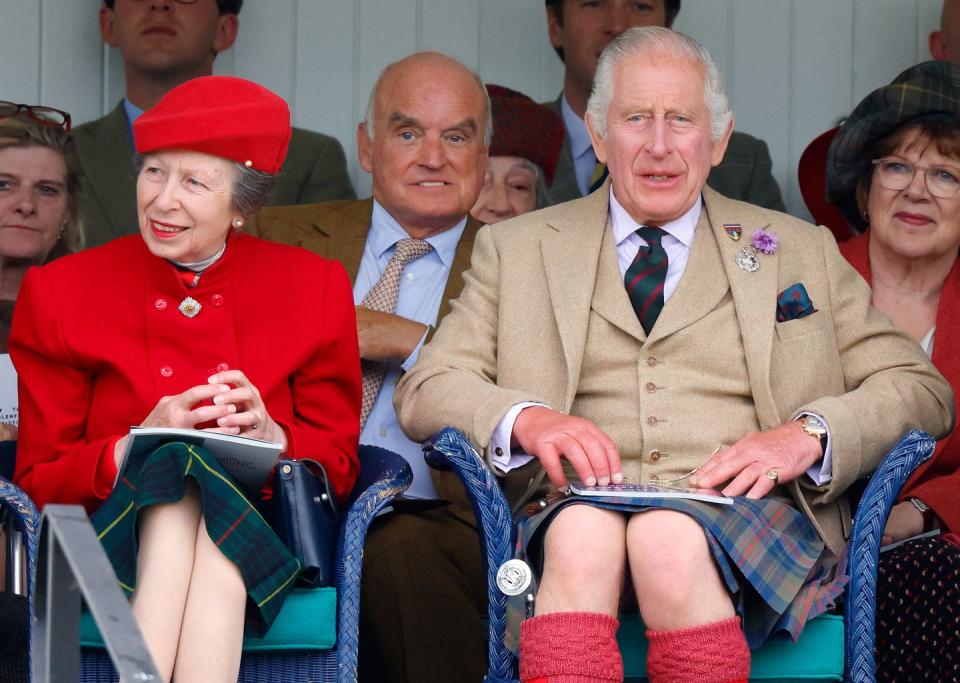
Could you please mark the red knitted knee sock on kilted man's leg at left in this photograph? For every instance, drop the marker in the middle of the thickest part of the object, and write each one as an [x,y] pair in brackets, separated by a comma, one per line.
[570,647]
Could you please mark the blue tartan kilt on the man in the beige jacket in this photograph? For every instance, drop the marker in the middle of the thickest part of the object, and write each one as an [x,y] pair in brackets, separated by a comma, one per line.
[775,566]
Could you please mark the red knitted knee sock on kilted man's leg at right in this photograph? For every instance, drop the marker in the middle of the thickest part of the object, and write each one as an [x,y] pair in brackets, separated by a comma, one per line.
[711,652]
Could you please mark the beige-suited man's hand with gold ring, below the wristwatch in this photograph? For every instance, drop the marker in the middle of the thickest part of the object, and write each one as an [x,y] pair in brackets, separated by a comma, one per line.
[787,450]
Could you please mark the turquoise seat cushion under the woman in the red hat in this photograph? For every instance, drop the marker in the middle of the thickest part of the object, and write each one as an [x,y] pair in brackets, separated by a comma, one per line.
[307,622]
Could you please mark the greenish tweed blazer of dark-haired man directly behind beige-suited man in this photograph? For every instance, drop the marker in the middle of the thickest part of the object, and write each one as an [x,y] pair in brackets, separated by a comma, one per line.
[745,173]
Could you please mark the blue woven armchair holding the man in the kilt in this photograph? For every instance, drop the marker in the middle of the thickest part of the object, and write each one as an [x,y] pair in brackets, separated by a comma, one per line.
[831,647]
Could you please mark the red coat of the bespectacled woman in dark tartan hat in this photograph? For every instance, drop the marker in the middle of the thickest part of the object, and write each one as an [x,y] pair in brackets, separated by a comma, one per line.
[937,481]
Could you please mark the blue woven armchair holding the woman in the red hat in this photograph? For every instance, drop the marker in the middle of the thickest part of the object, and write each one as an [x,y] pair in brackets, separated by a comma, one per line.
[315,637]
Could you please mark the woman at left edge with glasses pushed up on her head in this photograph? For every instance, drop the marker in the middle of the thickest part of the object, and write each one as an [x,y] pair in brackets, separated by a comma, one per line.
[39,204]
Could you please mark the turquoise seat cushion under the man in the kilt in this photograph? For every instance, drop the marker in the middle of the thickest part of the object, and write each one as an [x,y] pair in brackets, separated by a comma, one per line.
[816,656]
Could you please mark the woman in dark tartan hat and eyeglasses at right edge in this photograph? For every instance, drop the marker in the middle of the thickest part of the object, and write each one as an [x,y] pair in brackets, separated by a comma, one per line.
[894,171]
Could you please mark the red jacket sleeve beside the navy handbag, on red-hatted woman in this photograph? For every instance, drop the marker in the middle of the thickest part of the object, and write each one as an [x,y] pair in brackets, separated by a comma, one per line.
[326,390]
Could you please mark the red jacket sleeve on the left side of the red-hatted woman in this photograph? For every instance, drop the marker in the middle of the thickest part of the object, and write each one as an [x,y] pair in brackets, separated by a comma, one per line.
[56,462]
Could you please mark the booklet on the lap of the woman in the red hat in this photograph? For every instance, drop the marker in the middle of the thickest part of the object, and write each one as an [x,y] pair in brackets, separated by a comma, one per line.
[249,461]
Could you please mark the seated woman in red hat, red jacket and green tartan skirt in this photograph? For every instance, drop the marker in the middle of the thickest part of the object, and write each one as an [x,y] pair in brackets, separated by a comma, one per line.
[191,324]
